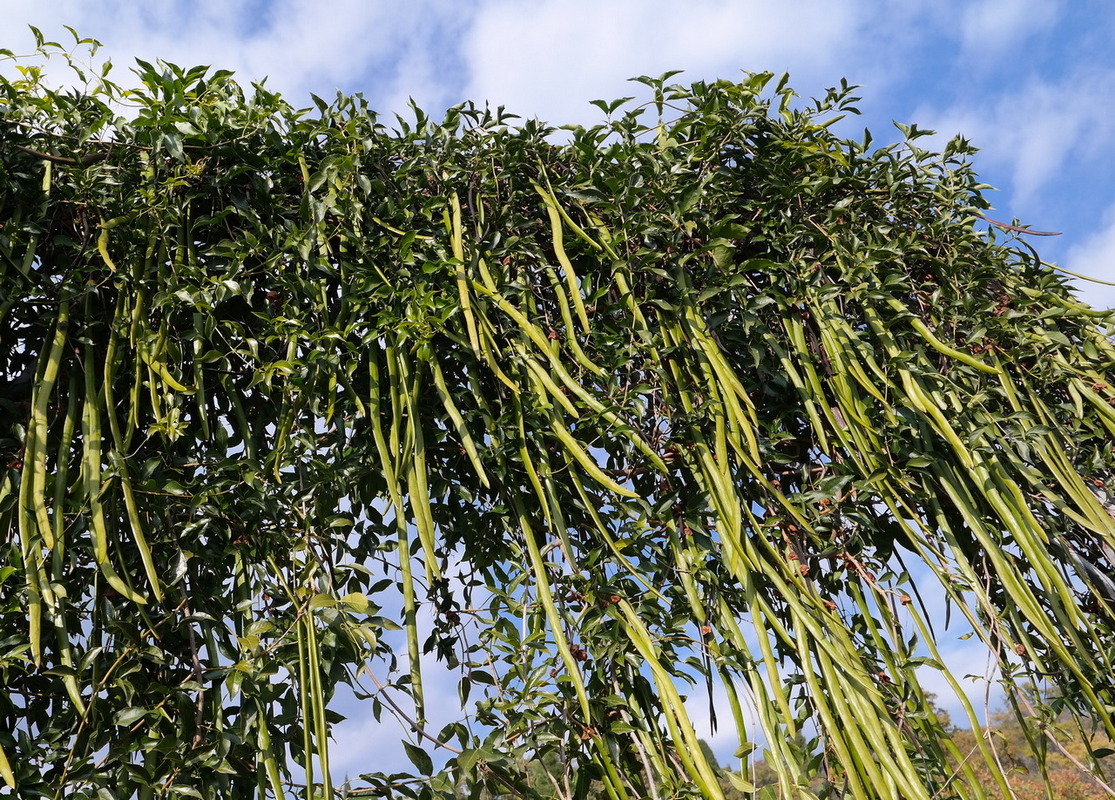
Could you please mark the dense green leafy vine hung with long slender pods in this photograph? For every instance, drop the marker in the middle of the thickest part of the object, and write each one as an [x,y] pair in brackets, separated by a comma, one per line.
[673,399]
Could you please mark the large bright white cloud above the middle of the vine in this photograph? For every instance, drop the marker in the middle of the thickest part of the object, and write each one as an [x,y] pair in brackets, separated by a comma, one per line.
[550,59]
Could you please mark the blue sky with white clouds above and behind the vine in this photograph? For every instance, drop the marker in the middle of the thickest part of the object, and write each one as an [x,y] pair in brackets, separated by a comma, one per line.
[1031,83]
